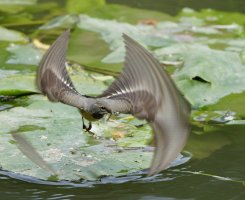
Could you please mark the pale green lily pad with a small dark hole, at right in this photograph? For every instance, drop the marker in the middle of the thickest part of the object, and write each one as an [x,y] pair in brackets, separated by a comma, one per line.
[206,75]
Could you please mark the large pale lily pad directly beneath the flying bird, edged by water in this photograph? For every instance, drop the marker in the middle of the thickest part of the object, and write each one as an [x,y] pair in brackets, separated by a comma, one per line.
[55,130]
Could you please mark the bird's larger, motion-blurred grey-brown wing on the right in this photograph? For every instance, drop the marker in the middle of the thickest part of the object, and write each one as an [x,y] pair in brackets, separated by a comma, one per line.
[152,95]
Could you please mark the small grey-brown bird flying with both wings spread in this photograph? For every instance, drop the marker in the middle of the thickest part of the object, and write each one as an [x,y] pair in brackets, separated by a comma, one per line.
[143,89]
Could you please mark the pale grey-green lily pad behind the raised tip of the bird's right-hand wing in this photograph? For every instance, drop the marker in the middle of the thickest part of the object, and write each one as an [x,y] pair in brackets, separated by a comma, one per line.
[111,31]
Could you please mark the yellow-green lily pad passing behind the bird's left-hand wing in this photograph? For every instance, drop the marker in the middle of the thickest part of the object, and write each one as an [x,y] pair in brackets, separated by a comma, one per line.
[19,84]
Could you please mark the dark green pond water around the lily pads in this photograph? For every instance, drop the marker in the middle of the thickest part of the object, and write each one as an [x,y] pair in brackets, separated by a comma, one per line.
[215,171]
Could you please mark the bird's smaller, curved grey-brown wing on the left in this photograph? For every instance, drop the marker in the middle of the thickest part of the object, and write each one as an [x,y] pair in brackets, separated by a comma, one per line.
[52,77]
